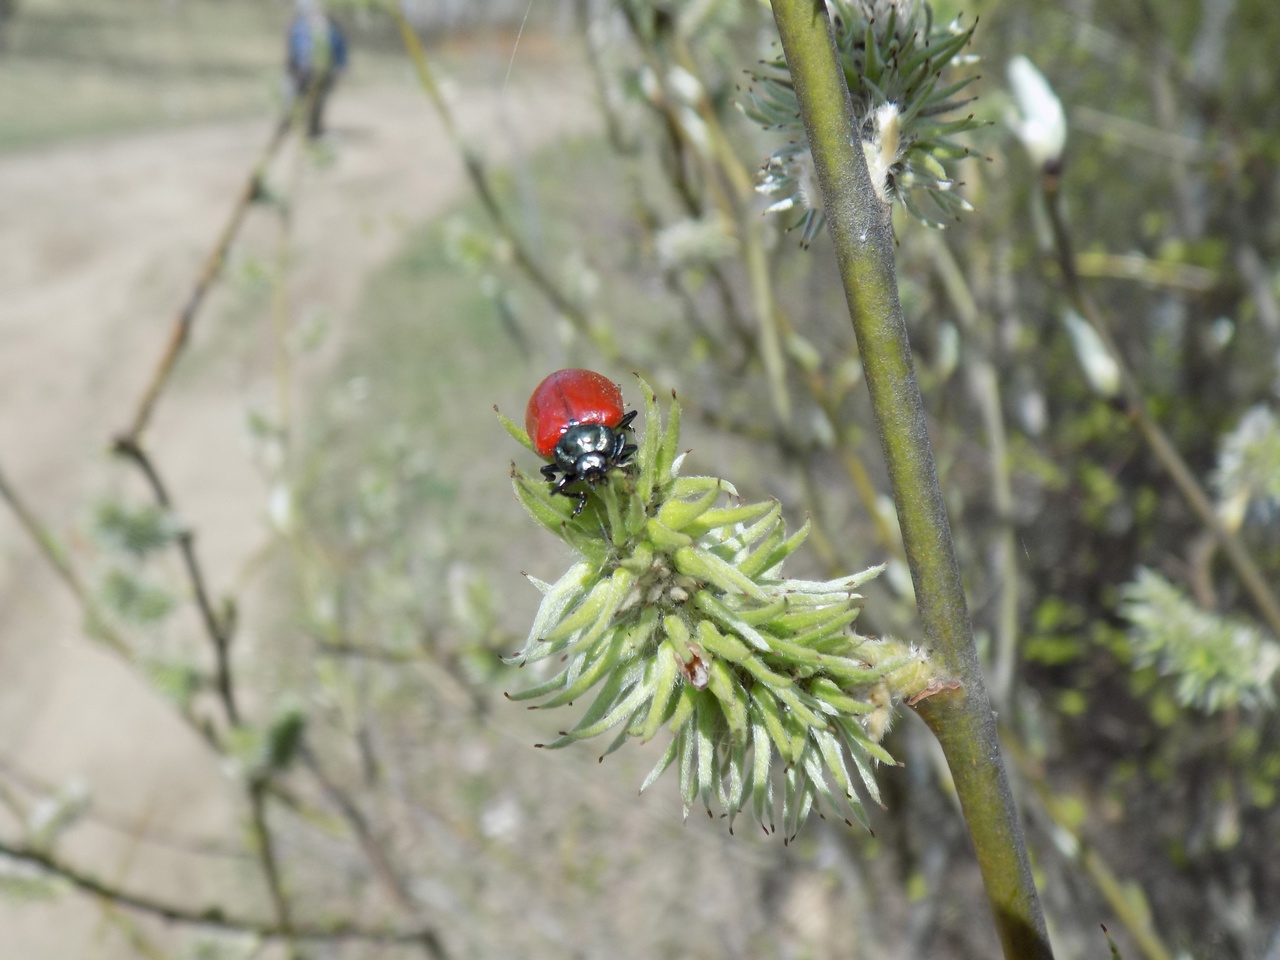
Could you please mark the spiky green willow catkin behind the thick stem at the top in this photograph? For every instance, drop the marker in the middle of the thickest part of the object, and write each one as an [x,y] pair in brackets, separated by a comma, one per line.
[895,62]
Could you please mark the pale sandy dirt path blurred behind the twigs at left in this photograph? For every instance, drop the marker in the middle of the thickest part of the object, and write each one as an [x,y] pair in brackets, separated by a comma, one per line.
[99,245]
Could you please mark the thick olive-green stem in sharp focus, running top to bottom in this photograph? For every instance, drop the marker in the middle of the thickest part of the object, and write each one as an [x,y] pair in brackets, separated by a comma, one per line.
[959,714]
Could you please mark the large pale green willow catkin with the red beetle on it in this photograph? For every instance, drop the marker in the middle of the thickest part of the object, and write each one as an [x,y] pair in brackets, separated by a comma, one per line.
[679,619]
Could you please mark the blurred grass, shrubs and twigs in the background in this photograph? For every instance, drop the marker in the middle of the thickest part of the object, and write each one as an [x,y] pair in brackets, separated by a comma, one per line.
[376,774]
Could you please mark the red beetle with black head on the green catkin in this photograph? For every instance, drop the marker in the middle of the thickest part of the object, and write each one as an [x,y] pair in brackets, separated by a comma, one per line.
[575,419]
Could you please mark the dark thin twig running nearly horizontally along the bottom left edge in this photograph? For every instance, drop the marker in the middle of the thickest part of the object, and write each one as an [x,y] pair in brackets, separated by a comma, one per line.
[212,917]
